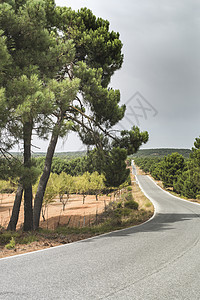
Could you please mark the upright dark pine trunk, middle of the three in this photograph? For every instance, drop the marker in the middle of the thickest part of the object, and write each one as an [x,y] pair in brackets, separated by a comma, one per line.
[27,186]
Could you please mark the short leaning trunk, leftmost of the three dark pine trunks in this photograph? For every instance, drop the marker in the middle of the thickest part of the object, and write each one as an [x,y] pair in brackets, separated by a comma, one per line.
[16,208]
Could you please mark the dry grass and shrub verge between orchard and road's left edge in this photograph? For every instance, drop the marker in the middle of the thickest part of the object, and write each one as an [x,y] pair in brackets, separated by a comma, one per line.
[129,208]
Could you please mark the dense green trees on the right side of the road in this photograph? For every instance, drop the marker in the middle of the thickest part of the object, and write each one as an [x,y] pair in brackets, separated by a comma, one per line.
[183,175]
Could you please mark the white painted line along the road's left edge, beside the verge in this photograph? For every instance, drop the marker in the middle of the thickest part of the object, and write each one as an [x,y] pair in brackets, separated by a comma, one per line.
[93,237]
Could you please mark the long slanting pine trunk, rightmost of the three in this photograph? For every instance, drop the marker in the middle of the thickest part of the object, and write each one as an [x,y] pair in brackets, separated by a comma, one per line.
[45,175]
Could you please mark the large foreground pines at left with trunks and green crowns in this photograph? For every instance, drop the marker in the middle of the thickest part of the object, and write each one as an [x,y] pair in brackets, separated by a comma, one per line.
[55,69]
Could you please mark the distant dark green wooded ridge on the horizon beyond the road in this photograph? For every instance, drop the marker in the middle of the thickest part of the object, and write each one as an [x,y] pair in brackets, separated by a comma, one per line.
[161,152]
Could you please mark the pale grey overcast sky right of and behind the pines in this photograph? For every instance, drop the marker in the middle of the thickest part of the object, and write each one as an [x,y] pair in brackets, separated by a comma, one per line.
[161,62]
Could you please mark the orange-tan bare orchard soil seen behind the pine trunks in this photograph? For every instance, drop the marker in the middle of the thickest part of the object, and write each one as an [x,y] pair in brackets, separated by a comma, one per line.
[76,213]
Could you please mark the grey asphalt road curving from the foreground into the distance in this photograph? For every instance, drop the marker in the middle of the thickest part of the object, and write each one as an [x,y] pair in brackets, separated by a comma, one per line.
[157,260]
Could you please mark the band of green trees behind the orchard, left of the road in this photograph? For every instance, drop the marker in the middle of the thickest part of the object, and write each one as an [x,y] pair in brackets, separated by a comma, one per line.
[113,166]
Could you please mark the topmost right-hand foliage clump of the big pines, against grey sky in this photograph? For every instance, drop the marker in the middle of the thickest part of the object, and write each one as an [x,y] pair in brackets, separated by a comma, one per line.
[95,44]
